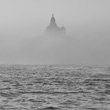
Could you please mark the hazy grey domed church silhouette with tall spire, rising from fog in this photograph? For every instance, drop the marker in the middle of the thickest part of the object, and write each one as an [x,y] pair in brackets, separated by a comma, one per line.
[54,30]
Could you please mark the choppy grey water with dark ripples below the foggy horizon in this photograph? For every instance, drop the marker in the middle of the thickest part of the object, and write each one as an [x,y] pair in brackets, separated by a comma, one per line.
[54,87]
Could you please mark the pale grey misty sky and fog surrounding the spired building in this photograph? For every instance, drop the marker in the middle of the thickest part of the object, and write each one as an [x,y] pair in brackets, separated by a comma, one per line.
[22,22]
